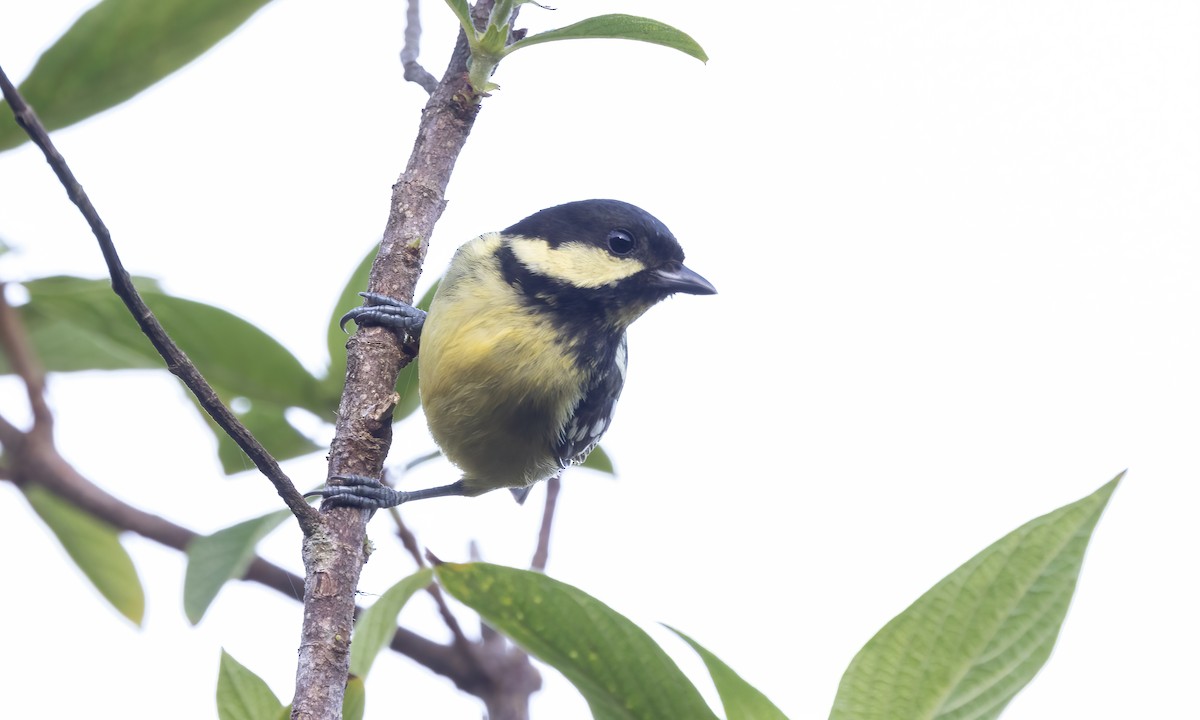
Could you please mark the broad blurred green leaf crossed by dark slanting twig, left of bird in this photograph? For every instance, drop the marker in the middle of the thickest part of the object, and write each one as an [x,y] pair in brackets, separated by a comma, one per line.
[81,325]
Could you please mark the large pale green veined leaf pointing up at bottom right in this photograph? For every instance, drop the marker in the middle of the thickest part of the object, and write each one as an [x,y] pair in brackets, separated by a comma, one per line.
[969,645]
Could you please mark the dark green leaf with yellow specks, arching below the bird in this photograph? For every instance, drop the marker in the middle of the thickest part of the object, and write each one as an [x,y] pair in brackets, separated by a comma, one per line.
[621,671]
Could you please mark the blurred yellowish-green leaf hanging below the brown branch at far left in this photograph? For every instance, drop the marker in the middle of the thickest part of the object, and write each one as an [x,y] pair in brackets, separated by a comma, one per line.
[95,549]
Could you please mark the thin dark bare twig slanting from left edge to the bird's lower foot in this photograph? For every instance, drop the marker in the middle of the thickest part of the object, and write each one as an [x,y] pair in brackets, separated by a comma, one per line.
[177,362]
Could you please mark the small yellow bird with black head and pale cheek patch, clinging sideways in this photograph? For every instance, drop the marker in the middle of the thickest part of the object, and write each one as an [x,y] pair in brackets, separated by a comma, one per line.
[524,352]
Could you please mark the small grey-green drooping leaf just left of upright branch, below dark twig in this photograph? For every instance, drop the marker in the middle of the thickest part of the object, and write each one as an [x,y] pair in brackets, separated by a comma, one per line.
[224,556]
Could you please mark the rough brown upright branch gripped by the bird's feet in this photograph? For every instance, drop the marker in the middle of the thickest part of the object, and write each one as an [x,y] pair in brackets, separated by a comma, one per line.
[334,557]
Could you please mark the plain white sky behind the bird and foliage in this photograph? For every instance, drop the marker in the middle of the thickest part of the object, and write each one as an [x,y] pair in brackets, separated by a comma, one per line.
[957,253]
